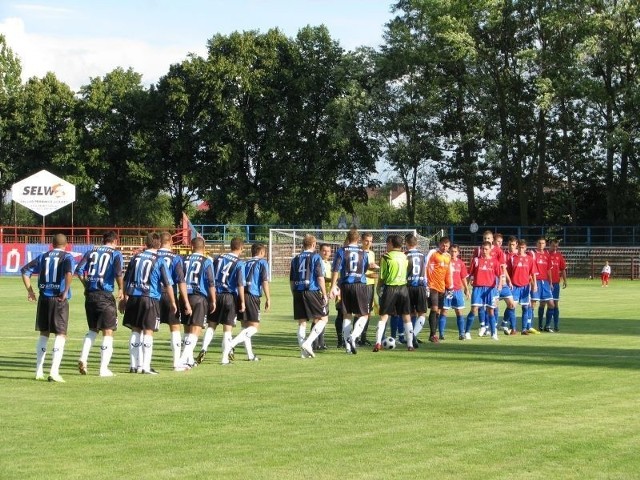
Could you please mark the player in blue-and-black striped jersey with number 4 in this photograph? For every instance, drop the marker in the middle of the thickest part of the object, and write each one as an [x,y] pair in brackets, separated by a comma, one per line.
[306,280]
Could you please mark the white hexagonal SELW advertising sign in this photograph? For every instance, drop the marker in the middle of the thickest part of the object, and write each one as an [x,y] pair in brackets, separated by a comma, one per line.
[43,192]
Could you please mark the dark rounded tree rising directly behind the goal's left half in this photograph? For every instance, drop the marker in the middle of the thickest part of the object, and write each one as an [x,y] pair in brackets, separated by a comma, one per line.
[331,157]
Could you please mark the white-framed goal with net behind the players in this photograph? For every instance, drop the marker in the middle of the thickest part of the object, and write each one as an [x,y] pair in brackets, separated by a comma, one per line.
[284,244]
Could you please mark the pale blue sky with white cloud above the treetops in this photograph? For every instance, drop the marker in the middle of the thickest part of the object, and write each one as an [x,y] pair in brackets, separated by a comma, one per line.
[81,39]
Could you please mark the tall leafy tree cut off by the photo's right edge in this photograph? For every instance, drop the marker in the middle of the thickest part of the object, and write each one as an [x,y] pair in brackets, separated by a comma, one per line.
[610,53]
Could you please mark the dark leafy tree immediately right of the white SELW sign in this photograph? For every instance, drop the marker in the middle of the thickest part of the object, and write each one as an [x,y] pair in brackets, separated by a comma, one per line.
[114,149]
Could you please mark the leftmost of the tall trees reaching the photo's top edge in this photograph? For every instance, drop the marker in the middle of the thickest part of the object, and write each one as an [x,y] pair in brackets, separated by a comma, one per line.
[431,53]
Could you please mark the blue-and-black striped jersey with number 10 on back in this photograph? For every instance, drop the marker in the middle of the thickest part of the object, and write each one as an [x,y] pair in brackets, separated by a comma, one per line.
[146,274]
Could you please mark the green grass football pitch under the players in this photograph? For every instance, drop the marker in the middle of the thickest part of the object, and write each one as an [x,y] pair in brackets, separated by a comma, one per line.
[555,405]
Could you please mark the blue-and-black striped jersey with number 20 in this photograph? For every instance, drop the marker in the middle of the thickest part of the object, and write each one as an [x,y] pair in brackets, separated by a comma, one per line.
[100,267]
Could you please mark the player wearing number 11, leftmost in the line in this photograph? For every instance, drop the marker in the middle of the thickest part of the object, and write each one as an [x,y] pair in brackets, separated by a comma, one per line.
[55,272]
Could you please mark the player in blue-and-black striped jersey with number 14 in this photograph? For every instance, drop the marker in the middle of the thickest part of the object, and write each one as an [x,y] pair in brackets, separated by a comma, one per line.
[229,275]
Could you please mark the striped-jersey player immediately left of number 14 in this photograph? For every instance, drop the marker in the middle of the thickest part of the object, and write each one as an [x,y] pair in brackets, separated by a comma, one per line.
[200,286]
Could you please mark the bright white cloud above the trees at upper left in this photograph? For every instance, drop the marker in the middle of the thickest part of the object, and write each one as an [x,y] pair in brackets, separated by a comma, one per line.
[75,60]
